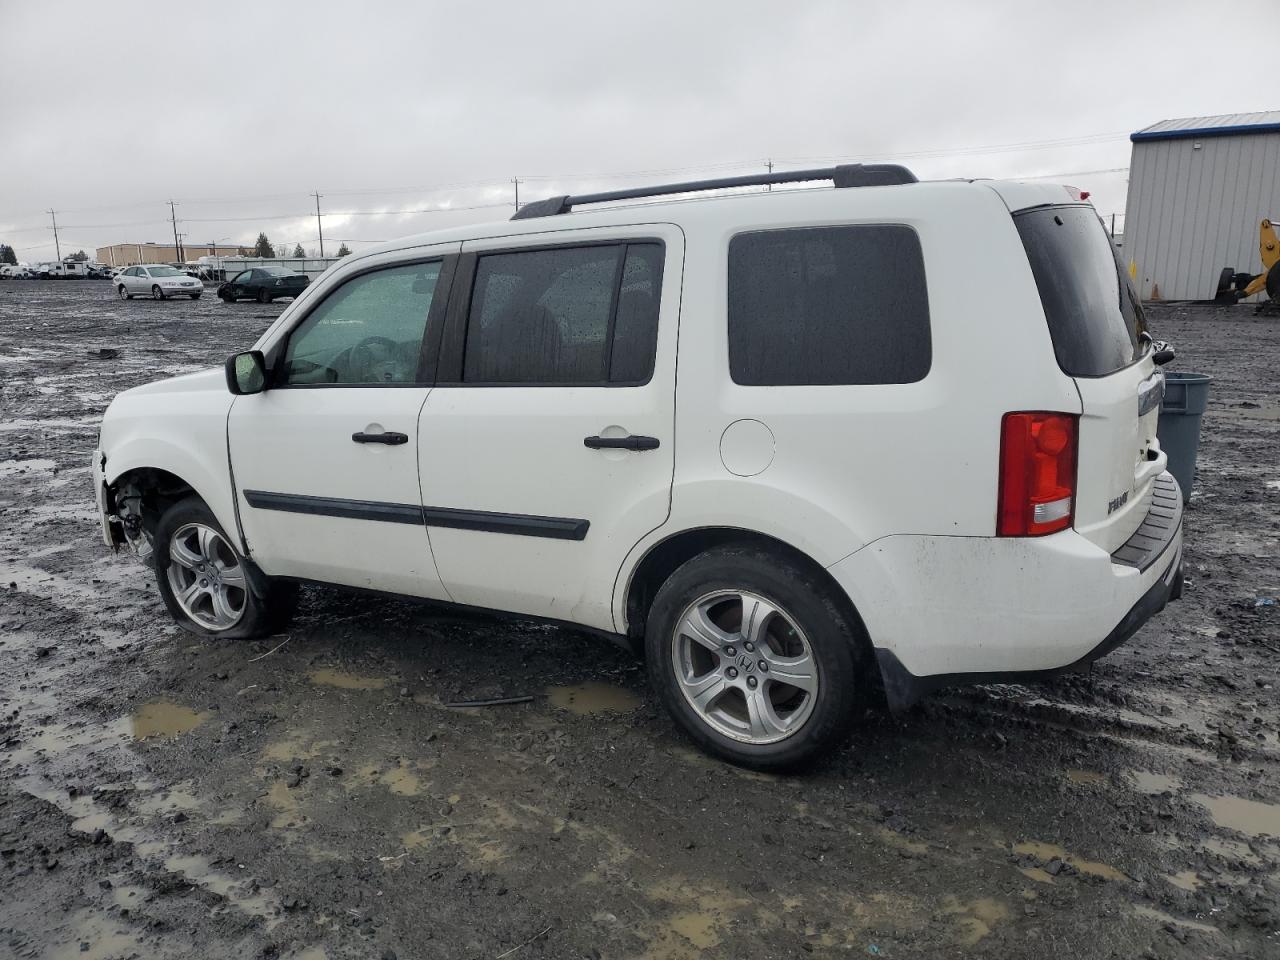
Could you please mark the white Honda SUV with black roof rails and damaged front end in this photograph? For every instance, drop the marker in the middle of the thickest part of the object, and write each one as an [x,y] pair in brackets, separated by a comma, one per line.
[808,449]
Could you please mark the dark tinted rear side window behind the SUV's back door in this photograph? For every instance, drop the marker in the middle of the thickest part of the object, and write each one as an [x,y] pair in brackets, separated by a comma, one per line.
[829,305]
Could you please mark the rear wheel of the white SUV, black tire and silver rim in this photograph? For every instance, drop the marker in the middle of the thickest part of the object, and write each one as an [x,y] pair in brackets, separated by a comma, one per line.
[758,664]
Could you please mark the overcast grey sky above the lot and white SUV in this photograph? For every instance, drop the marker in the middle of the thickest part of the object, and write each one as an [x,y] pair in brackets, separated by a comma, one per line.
[241,111]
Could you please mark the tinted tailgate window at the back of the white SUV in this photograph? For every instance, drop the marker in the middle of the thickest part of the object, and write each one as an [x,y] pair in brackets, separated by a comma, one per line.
[1092,312]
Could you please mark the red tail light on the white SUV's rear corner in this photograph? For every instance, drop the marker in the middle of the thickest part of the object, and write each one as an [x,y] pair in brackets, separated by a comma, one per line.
[1037,474]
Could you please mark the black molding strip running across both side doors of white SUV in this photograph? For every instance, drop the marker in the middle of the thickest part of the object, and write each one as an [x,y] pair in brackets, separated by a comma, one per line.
[487,522]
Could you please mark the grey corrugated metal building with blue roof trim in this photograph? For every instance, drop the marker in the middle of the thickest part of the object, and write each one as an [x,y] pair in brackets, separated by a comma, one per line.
[1199,188]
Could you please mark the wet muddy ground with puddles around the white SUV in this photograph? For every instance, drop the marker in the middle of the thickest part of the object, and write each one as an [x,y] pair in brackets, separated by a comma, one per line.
[168,797]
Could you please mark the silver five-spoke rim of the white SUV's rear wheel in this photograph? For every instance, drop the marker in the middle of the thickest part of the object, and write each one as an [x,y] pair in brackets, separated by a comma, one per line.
[746,668]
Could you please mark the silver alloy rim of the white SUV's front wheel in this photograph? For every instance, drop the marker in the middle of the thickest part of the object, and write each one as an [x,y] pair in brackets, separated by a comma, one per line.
[207,578]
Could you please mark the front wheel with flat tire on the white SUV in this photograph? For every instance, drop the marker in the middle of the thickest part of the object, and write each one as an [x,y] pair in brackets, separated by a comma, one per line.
[207,584]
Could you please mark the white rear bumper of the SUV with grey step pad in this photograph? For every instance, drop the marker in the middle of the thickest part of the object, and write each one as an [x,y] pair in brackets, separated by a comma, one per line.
[953,610]
